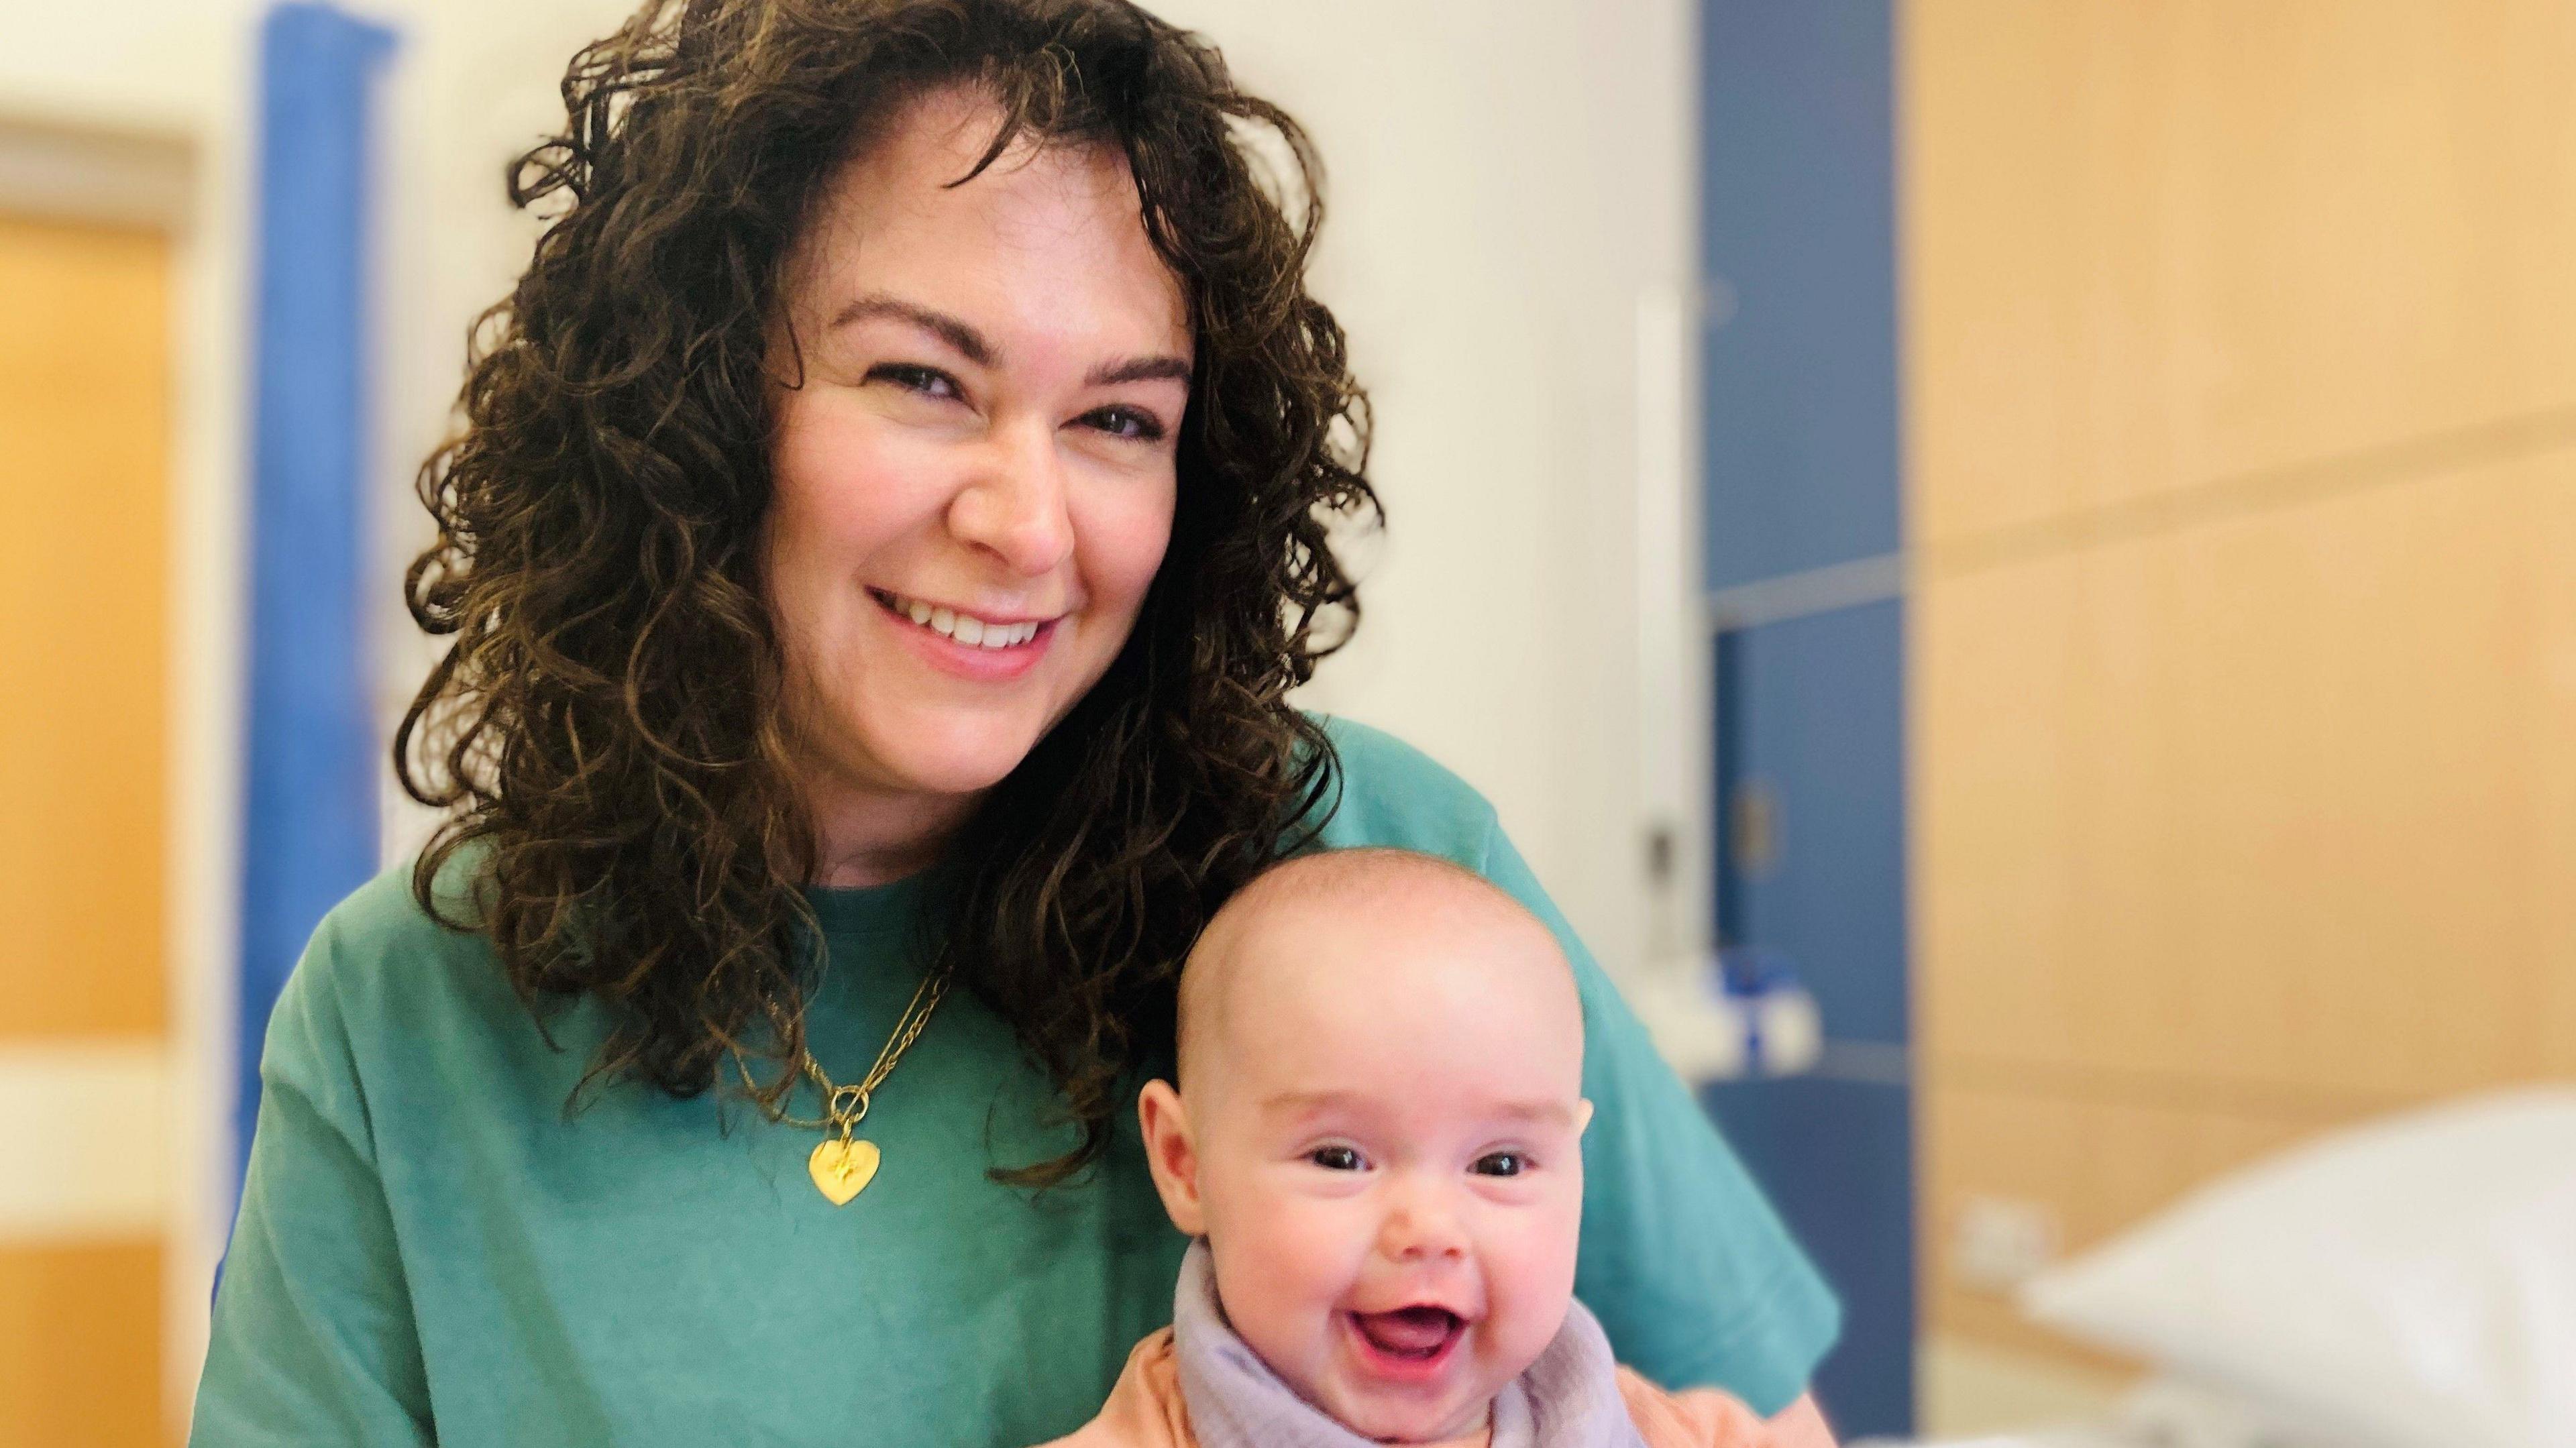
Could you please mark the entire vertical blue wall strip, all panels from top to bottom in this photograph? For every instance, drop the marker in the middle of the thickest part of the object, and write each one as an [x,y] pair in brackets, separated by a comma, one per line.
[1802,452]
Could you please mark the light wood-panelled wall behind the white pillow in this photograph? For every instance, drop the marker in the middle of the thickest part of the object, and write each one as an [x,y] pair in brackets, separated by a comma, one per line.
[2242,493]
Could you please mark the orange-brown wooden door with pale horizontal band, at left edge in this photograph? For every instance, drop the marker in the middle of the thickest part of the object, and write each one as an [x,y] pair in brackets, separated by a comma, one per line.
[84,831]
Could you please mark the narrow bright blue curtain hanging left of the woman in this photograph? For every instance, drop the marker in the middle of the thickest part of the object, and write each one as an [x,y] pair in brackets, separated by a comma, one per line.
[310,792]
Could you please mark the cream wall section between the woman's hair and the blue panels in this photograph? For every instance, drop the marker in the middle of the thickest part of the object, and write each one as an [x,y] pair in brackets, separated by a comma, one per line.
[1506,184]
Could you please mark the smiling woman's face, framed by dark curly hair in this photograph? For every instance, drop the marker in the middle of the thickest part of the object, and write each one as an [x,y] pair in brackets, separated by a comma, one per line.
[975,481]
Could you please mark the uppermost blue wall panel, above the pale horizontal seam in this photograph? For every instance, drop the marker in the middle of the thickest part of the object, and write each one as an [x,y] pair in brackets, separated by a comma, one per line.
[1799,251]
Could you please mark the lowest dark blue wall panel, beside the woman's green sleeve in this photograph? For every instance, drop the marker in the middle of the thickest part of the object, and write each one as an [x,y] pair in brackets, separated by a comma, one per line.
[1838,1161]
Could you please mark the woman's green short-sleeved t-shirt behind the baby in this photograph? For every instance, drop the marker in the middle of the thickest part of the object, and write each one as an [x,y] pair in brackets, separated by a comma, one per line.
[431,1248]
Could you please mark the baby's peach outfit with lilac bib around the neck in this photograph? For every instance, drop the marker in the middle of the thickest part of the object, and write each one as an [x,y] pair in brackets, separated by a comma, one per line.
[1197,1385]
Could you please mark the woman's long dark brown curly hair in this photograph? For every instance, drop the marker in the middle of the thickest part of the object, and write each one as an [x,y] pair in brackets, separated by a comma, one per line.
[607,725]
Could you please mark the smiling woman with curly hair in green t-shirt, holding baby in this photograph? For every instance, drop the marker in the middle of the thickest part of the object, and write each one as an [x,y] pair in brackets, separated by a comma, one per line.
[887,522]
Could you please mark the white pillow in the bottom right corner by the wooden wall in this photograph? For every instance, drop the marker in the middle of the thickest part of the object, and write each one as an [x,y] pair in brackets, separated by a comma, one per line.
[2405,1284]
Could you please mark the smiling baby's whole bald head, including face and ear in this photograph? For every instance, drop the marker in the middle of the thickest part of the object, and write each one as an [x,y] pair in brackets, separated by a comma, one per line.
[1377,1130]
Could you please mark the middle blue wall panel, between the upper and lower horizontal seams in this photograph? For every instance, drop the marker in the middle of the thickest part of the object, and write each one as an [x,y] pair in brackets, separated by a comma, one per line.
[1812,720]
